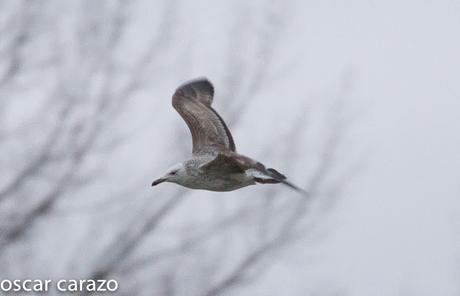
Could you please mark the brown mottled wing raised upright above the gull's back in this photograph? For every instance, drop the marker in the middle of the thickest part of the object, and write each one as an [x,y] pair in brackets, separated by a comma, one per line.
[193,102]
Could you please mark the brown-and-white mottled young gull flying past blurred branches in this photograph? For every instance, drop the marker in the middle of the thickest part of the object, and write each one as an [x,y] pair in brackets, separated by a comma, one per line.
[215,165]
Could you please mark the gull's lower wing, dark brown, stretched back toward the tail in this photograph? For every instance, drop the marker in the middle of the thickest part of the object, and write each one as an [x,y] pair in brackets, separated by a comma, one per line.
[231,162]
